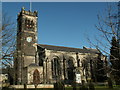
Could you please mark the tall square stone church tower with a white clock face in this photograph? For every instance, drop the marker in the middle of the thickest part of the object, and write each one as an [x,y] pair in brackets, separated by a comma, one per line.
[26,44]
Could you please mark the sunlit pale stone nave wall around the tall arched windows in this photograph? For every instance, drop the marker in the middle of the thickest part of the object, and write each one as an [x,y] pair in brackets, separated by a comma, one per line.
[51,54]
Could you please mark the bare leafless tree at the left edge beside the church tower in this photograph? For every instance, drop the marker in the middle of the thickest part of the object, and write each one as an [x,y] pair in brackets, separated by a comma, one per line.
[8,40]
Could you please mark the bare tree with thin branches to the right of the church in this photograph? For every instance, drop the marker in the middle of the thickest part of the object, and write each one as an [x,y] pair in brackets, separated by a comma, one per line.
[109,27]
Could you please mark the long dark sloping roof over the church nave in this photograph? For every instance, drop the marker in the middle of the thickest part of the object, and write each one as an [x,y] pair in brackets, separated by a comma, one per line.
[69,49]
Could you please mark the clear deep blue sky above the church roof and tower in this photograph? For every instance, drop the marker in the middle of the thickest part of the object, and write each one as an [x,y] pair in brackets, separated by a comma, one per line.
[62,23]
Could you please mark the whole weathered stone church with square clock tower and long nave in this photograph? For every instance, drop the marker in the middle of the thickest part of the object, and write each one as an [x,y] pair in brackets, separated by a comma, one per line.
[39,63]
